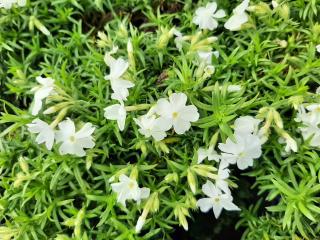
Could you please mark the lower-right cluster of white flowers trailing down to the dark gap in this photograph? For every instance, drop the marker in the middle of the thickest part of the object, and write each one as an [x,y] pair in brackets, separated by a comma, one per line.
[242,149]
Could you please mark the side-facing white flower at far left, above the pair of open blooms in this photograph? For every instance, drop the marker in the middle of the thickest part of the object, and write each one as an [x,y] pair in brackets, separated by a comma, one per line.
[41,92]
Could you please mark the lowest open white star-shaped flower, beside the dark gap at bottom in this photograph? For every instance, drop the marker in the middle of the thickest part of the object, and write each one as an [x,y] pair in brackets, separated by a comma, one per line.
[216,200]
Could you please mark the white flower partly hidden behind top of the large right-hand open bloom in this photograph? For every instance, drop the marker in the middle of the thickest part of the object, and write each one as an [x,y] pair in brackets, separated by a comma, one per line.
[247,124]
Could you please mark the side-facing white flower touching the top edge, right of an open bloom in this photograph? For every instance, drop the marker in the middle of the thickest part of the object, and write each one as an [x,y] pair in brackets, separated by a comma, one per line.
[239,17]
